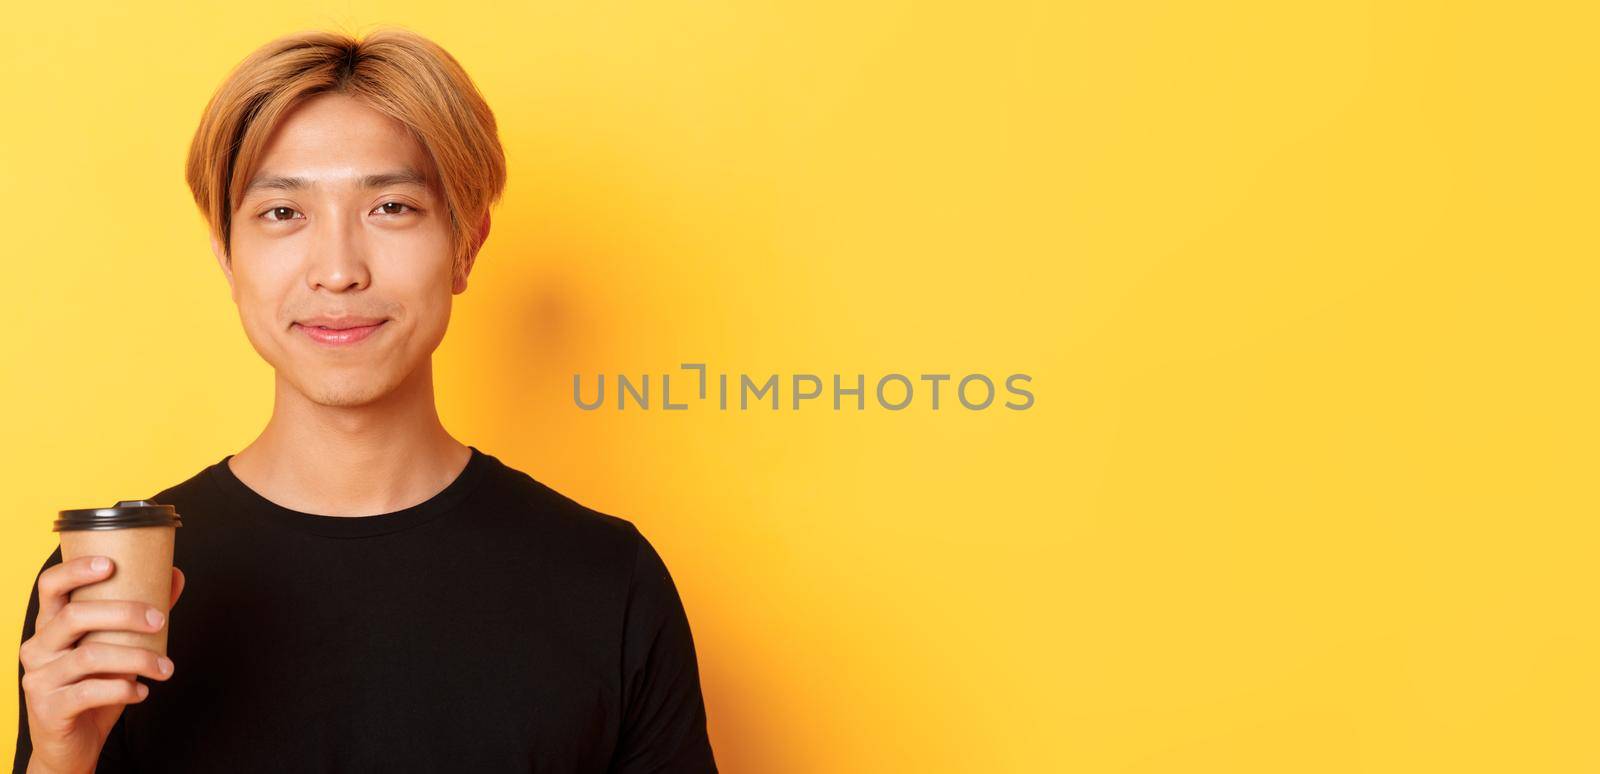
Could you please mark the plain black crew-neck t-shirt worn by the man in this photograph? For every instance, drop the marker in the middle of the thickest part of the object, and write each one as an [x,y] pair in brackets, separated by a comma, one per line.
[498,626]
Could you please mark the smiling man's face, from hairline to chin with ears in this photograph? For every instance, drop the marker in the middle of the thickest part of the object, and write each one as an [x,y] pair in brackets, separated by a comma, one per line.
[338,231]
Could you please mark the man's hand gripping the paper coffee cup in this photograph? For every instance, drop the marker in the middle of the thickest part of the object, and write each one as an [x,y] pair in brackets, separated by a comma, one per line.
[76,692]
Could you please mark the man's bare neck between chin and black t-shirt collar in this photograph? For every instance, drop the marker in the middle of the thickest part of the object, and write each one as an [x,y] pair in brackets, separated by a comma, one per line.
[353,461]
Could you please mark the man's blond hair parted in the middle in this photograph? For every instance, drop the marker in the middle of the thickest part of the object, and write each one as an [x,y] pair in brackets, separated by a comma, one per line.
[394,71]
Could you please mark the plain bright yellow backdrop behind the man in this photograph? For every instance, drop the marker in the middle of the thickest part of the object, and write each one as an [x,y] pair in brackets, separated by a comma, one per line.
[1306,292]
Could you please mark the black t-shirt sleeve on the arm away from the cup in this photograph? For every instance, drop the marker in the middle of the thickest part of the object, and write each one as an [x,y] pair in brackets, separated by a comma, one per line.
[663,708]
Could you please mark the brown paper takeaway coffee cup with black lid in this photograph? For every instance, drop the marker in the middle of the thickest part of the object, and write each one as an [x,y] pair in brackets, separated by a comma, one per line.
[138,537]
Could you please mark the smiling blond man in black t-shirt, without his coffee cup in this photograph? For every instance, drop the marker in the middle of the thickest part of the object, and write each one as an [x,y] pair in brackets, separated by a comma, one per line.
[361,591]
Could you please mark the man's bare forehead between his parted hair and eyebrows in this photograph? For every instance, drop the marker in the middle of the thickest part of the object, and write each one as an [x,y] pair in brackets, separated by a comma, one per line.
[335,138]
